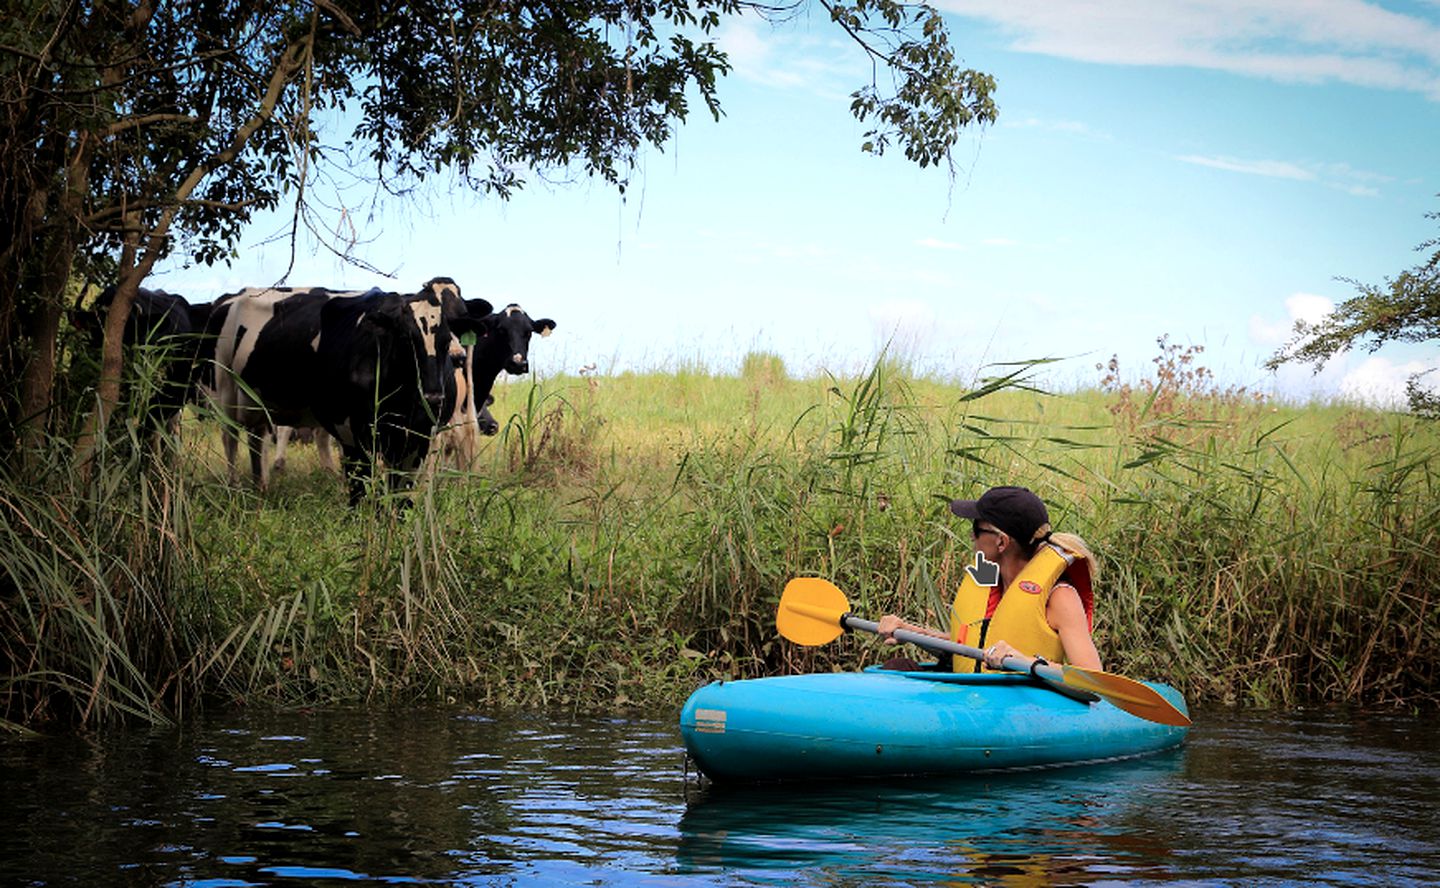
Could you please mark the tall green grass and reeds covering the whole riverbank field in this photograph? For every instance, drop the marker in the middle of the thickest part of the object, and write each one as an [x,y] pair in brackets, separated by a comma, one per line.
[626,539]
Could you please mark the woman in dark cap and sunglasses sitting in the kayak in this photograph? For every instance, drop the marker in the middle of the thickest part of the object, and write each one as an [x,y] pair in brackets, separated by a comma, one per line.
[1038,608]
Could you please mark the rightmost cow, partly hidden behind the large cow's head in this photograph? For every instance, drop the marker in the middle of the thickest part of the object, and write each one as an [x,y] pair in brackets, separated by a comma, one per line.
[503,345]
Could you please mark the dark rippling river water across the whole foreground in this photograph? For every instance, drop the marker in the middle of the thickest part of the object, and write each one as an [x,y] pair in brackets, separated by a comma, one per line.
[456,798]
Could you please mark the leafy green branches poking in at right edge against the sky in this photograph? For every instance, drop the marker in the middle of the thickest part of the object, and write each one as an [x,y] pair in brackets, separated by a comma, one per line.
[1403,310]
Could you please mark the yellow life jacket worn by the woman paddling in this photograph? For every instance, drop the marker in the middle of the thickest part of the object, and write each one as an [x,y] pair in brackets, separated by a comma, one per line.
[1020,617]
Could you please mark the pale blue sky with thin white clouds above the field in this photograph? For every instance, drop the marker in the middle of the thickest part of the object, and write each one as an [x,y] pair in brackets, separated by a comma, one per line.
[1203,171]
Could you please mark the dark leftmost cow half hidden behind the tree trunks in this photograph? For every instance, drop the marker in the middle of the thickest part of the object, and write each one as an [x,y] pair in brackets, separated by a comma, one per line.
[172,329]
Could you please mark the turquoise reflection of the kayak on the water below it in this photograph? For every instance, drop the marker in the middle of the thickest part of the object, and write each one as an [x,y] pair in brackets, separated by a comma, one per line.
[1035,828]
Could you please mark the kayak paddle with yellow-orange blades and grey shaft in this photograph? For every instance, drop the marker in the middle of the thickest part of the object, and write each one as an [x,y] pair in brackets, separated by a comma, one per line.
[816,612]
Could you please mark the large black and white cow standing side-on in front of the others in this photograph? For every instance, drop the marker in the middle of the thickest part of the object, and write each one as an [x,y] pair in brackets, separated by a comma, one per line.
[371,369]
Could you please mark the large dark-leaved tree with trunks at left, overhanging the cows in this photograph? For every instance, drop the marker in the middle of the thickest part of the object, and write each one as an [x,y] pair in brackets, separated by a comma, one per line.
[133,129]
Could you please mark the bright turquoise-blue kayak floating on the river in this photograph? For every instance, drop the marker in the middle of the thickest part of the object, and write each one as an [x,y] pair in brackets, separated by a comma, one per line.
[882,723]
